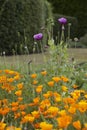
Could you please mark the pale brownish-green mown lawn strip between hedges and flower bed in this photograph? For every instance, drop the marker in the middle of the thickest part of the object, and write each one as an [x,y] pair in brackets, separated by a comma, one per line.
[78,54]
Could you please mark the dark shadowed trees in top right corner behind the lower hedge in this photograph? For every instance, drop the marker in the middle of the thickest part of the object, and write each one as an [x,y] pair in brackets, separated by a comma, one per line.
[74,8]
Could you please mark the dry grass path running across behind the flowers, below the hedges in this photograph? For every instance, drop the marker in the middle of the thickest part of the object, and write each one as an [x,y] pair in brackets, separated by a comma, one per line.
[20,62]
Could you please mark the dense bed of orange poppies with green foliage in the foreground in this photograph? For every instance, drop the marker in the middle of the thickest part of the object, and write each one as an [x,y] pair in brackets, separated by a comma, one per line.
[43,102]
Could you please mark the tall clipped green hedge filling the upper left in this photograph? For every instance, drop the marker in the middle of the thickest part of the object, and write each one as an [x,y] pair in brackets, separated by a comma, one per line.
[19,21]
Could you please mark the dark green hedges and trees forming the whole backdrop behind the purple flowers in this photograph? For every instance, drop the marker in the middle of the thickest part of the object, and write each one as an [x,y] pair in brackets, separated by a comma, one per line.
[21,19]
